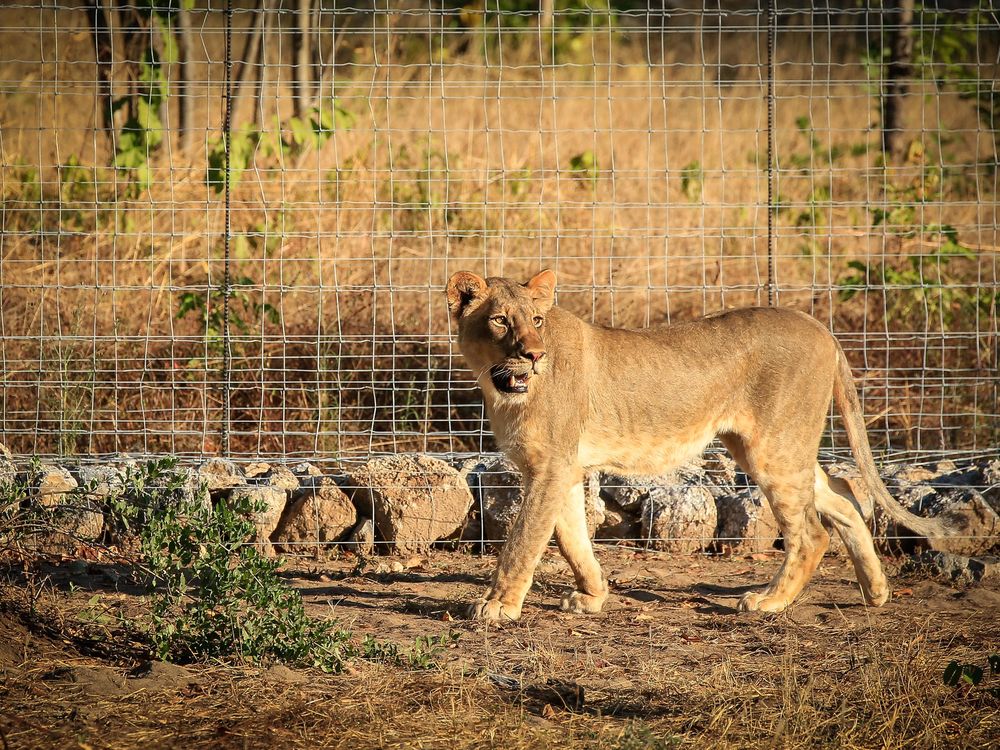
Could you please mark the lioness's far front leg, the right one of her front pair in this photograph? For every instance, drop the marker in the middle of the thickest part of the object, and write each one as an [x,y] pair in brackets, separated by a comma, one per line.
[574,543]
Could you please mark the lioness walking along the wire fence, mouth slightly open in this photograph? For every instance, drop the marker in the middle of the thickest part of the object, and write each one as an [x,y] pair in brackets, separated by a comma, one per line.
[564,396]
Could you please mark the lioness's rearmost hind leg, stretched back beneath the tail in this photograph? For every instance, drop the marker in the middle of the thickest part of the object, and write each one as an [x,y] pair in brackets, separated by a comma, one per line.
[840,513]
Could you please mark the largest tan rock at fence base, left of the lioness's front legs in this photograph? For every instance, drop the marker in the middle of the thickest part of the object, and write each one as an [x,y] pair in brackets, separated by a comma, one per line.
[416,499]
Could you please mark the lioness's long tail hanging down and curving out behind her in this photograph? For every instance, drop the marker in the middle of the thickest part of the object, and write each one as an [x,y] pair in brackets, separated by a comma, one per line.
[845,395]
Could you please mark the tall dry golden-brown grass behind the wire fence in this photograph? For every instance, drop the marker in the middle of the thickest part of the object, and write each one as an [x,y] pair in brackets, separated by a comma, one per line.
[341,342]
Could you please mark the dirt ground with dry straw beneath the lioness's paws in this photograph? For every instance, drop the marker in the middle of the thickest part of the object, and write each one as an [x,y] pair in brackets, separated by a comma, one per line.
[669,663]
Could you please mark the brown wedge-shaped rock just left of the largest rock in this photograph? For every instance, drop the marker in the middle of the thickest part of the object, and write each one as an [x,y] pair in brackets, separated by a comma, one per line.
[319,515]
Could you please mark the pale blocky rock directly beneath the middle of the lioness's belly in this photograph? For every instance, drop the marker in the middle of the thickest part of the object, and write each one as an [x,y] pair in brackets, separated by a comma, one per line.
[679,519]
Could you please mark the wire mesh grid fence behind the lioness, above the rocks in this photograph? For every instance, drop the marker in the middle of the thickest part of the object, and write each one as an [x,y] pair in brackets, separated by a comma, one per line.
[378,148]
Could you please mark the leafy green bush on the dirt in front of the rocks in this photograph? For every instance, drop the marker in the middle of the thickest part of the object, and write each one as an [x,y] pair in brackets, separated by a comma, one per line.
[213,594]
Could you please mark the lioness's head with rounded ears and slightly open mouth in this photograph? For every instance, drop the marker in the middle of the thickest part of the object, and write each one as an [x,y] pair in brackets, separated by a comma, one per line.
[501,326]
